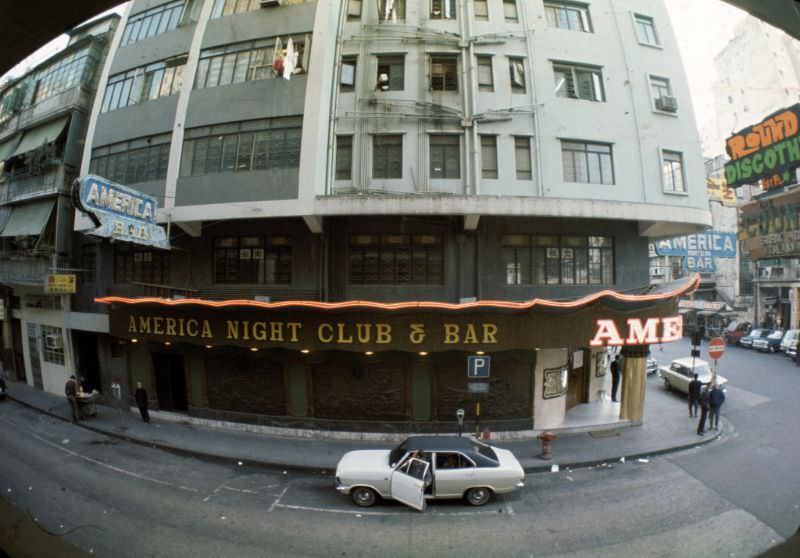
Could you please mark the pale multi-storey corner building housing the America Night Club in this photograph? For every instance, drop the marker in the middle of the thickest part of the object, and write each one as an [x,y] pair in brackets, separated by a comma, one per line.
[450,152]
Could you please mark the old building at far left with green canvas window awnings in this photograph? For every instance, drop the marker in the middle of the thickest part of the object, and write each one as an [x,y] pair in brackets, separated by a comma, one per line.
[43,119]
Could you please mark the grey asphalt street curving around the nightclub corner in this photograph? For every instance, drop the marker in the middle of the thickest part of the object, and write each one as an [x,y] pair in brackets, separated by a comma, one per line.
[734,497]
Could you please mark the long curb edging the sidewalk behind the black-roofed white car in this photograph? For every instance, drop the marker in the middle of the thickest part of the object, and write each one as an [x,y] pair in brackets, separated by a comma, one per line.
[532,469]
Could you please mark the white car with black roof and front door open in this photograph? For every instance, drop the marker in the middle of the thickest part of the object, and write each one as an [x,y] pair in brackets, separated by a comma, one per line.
[428,467]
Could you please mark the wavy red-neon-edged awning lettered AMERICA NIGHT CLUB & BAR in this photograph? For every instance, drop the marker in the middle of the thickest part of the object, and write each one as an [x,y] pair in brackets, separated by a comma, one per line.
[605,317]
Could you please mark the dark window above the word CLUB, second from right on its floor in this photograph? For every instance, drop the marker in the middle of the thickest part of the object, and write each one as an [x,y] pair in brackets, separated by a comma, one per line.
[396,259]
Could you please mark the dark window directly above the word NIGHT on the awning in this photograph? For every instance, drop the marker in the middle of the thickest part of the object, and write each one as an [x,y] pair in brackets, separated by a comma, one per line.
[253,260]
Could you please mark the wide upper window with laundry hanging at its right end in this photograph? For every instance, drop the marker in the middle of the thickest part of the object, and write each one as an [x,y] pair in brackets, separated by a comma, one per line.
[253,60]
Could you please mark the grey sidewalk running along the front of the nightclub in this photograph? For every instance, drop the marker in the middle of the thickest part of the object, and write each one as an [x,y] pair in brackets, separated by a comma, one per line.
[667,427]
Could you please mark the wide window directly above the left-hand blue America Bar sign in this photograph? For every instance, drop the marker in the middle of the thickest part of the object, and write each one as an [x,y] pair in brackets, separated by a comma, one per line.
[134,161]
